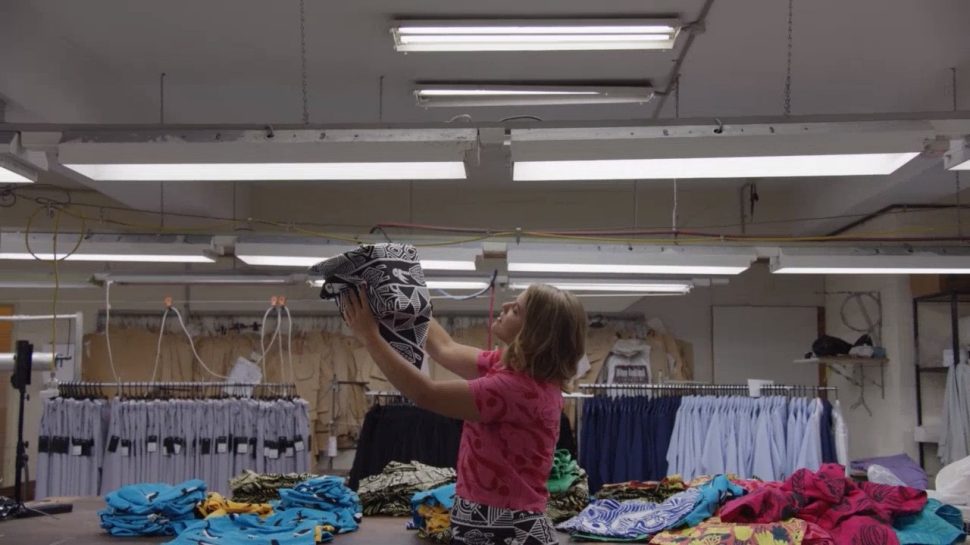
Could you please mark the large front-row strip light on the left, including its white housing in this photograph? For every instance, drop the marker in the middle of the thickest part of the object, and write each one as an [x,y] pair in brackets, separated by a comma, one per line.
[417,154]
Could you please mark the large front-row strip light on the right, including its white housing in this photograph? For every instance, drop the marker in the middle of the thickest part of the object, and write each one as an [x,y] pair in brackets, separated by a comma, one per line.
[745,150]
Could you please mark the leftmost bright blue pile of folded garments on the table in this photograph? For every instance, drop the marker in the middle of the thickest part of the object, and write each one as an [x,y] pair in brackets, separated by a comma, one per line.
[151,509]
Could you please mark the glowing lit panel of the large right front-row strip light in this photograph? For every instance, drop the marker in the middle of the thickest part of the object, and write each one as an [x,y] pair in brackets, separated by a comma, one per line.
[713,167]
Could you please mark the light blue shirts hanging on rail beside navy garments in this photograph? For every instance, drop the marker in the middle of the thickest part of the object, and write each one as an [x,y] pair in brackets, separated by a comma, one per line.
[768,438]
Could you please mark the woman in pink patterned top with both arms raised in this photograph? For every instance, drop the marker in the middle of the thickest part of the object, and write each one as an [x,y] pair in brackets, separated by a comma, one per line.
[510,401]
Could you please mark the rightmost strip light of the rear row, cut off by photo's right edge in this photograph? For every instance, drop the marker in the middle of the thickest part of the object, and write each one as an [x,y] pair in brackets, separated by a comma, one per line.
[869,262]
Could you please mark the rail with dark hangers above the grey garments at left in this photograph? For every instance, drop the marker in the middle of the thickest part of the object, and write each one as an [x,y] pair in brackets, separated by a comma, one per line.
[181,390]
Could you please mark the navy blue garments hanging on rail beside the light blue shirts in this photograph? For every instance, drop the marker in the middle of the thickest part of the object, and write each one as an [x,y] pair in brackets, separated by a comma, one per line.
[626,438]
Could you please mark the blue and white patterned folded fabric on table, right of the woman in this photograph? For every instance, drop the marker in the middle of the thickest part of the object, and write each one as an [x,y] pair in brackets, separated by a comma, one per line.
[631,520]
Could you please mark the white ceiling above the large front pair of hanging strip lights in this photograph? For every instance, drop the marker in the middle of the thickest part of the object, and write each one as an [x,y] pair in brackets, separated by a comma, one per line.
[239,60]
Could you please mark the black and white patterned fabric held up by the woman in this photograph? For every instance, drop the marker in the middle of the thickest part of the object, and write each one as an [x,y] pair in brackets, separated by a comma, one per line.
[396,291]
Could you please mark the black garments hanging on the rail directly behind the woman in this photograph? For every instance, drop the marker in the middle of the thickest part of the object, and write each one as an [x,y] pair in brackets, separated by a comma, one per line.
[405,433]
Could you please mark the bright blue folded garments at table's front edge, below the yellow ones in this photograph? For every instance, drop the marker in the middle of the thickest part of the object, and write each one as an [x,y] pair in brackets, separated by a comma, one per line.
[290,527]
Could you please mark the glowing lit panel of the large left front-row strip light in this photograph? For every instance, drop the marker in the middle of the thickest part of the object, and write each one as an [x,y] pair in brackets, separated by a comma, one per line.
[444,170]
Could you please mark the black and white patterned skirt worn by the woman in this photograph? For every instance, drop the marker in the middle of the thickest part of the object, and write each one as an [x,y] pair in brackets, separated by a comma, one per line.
[476,524]
